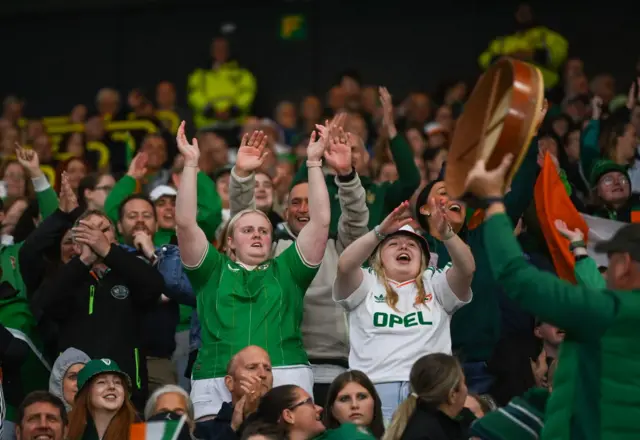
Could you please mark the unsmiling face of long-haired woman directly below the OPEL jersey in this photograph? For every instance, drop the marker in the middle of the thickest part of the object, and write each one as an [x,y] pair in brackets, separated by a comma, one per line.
[354,404]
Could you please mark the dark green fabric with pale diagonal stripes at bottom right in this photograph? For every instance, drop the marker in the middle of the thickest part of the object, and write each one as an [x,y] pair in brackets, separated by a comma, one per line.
[521,419]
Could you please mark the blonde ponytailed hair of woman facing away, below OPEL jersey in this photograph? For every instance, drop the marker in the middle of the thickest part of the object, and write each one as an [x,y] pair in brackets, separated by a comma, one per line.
[433,377]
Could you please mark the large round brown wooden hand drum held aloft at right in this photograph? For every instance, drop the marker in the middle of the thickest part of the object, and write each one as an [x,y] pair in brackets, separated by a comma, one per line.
[500,117]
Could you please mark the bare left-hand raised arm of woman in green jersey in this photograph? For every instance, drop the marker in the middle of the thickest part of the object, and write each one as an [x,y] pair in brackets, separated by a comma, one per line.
[191,239]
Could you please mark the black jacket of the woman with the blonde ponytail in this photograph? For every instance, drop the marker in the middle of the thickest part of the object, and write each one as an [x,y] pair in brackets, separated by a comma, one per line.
[428,424]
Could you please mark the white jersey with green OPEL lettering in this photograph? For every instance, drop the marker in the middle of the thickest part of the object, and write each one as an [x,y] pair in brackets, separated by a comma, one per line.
[385,343]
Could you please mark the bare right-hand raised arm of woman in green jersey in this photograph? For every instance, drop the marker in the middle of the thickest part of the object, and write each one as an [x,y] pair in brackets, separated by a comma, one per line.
[312,240]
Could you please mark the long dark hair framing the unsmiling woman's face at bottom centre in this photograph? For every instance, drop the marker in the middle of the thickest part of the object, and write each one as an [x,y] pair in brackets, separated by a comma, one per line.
[341,381]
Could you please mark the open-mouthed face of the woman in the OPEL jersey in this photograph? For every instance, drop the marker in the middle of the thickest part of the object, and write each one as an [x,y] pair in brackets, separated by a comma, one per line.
[401,257]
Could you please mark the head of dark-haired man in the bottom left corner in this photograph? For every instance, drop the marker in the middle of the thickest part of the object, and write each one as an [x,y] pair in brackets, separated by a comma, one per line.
[41,415]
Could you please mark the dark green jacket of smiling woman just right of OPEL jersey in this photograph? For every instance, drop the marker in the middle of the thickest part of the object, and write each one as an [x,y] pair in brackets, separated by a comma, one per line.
[475,328]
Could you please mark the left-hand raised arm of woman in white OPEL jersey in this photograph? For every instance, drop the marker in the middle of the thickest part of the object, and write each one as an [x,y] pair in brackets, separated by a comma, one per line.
[349,275]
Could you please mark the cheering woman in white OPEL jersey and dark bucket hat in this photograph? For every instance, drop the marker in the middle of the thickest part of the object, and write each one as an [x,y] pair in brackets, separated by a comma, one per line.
[400,309]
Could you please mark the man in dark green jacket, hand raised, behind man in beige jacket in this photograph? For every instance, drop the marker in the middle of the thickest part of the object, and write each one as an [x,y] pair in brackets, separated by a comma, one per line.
[384,197]
